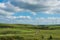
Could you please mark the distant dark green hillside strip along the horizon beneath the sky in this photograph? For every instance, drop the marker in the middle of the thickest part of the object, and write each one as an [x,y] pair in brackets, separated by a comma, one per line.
[29,26]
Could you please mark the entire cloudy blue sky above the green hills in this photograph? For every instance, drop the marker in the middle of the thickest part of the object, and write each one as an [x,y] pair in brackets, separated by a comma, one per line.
[30,12]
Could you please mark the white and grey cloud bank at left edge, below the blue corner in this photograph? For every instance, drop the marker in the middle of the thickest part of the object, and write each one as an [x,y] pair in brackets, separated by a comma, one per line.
[7,9]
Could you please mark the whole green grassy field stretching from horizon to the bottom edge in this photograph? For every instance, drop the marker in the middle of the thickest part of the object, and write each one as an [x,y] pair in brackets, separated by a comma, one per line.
[28,32]
